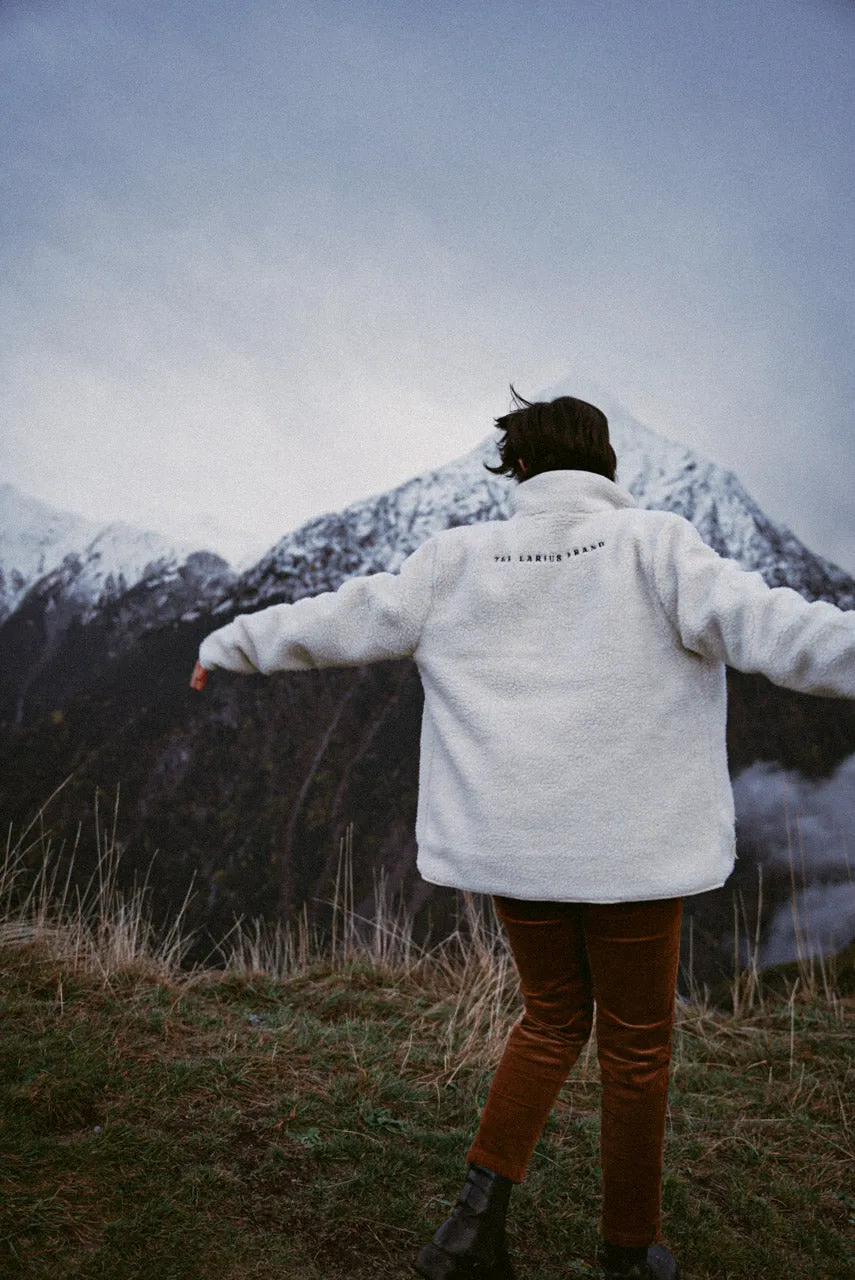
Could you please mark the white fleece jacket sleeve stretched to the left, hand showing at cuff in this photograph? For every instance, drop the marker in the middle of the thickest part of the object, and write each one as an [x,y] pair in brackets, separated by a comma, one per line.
[367,620]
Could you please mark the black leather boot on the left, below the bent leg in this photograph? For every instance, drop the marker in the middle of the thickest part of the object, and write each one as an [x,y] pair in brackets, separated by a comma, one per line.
[470,1245]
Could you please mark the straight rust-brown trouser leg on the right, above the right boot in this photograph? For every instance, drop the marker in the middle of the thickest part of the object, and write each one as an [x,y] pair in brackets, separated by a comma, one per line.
[634,953]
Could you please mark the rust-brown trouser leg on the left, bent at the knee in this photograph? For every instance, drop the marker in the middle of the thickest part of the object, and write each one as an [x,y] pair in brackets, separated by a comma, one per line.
[548,945]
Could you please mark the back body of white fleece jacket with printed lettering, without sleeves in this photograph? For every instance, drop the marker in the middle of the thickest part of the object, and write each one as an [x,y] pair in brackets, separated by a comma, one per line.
[560,703]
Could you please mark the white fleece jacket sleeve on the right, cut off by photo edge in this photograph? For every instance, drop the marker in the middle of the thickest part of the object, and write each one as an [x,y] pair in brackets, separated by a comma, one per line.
[724,612]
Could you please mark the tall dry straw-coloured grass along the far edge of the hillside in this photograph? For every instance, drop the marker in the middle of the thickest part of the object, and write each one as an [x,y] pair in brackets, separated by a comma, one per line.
[102,930]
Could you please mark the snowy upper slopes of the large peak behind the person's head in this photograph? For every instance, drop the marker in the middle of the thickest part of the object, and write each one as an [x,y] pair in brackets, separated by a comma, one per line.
[378,533]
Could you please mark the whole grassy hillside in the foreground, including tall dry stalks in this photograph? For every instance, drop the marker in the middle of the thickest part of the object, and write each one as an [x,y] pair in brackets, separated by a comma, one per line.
[304,1113]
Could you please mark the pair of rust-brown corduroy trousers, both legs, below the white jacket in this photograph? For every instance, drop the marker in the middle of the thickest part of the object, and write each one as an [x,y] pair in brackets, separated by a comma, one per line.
[623,956]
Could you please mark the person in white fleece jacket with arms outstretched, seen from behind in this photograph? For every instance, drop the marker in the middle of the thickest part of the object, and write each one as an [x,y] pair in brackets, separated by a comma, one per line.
[574,767]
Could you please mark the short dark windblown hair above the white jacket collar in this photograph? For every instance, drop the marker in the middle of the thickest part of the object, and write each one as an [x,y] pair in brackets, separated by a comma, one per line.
[565,435]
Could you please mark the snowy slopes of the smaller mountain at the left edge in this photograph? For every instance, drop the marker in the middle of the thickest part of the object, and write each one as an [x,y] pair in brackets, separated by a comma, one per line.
[92,564]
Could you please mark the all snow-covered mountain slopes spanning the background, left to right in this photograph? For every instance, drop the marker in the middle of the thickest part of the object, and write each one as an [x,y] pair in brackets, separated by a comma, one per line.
[93,566]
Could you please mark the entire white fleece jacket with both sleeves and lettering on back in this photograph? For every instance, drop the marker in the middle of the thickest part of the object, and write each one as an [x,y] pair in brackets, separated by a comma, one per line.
[573,660]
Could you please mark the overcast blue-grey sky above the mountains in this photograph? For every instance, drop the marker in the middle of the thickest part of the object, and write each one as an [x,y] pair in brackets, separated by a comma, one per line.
[260,260]
